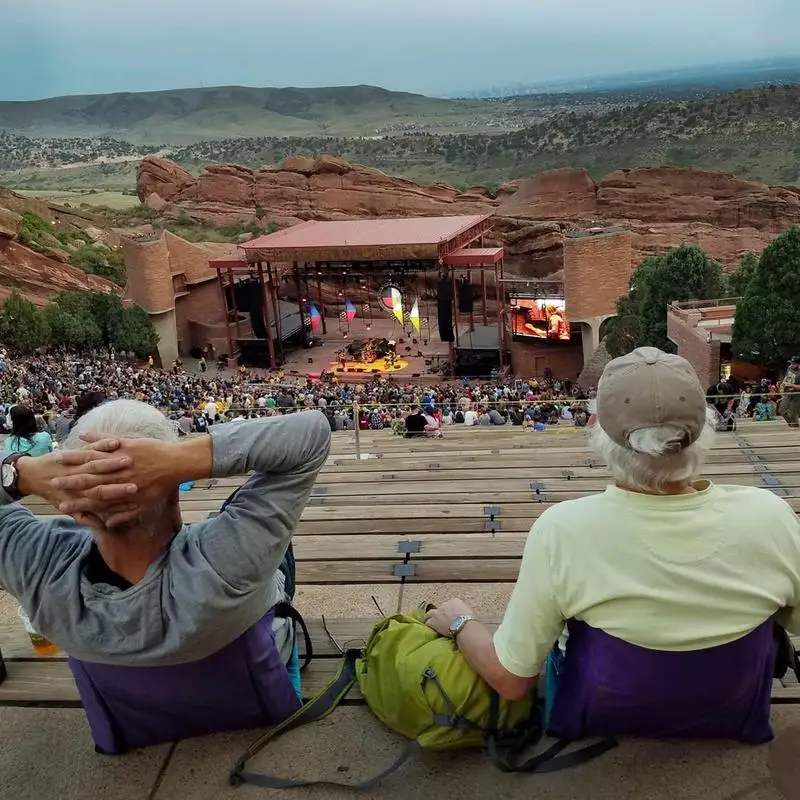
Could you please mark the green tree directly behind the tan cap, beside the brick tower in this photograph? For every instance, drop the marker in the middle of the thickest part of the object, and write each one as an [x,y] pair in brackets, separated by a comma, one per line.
[684,273]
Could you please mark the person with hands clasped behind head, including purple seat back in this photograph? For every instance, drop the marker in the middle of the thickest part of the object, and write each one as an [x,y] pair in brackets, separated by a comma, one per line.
[173,630]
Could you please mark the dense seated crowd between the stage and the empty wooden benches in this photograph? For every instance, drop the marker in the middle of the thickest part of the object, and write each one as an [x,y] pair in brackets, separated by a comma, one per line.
[59,388]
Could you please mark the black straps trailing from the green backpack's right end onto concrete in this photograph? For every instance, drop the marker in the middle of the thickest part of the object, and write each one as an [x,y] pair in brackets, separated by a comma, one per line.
[505,751]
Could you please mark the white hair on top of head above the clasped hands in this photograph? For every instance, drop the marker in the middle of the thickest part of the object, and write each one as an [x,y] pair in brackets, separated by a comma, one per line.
[122,419]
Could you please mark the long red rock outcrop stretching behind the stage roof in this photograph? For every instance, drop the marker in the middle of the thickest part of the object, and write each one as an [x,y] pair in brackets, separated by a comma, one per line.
[663,206]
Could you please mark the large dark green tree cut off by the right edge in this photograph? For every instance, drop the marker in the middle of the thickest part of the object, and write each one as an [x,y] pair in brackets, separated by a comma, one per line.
[766,329]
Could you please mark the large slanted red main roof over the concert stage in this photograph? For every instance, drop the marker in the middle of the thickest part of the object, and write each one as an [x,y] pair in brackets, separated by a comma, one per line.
[409,238]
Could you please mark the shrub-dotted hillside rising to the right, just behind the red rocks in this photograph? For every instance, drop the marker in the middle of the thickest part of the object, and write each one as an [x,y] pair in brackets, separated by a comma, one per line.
[753,133]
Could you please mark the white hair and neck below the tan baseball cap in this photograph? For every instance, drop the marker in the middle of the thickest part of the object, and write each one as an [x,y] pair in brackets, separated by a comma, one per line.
[651,464]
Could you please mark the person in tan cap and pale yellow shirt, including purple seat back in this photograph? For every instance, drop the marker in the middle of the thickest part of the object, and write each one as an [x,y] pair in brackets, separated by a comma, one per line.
[669,585]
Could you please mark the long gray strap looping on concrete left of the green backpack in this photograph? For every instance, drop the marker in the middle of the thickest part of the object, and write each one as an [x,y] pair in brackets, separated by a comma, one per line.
[319,707]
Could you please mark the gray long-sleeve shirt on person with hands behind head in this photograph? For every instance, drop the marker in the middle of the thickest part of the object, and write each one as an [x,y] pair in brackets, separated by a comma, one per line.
[215,580]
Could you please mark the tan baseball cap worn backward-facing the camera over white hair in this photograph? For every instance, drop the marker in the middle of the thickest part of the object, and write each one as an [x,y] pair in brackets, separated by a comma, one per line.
[649,388]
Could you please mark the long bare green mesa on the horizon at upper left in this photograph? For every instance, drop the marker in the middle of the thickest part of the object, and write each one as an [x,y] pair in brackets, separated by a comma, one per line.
[185,115]
